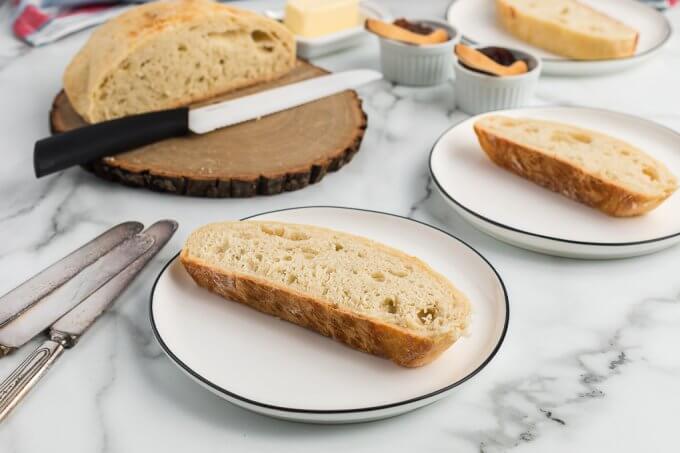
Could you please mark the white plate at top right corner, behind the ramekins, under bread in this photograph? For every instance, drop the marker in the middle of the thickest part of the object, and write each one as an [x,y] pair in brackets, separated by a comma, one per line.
[477,21]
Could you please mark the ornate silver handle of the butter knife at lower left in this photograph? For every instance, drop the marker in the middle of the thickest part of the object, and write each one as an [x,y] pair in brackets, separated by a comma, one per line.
[23,379]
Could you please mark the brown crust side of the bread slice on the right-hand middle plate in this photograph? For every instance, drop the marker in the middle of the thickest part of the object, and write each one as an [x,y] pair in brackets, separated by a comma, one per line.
[564,177]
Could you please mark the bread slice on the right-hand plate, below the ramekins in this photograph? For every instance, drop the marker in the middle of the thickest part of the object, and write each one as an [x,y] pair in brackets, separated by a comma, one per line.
[593,168]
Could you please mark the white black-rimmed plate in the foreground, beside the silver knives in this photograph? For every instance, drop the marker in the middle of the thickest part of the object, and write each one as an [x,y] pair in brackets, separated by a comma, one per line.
[281,370]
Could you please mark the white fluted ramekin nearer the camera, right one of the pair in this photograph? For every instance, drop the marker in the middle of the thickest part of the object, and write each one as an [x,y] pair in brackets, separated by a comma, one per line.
[478,93]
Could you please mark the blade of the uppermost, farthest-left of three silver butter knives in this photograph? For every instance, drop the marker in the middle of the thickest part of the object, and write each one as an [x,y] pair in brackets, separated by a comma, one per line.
[24,296]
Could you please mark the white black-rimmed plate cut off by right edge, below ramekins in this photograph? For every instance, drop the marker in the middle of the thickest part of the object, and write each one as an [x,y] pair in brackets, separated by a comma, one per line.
[519,212]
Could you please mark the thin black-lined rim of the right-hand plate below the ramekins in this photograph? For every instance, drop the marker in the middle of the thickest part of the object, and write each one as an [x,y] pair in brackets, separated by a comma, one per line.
[529,233]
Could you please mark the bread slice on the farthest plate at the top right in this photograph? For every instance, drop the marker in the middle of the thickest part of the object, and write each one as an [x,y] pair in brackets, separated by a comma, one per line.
[568,28]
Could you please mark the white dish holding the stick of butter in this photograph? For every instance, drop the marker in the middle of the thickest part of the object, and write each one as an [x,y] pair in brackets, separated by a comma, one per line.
[308,48]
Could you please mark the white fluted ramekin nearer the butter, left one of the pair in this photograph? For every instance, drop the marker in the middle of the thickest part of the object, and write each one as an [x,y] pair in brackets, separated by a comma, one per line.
[425,65]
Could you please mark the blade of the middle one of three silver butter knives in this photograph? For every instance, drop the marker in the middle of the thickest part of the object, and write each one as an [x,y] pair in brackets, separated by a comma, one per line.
[37,318]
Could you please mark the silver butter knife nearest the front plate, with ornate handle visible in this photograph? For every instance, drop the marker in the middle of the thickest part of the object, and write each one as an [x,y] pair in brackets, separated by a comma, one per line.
[67,330]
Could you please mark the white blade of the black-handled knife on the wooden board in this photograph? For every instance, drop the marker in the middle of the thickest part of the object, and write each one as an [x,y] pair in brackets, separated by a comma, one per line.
[227,113]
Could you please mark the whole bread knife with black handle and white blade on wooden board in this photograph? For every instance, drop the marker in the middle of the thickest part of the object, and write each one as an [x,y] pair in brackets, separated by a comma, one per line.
[107,138]
